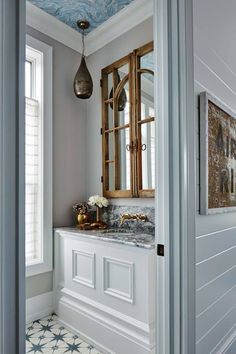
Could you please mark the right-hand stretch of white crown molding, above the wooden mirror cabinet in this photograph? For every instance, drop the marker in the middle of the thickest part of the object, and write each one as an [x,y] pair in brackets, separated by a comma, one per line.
[135,13]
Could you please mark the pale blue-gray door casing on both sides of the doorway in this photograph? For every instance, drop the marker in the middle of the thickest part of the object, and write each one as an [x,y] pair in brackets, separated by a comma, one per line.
[176,205]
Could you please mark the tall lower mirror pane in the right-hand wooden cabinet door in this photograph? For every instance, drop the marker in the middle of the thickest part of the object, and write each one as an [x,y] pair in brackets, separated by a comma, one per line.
[148,155]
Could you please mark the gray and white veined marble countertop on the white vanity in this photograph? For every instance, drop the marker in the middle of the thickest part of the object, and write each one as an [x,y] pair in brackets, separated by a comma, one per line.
[125,237]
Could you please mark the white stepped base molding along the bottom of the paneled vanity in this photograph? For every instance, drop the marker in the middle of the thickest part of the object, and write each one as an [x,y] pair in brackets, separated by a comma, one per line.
[99,324]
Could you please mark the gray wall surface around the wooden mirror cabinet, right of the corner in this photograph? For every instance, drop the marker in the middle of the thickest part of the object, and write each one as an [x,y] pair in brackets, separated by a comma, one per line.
[115,50]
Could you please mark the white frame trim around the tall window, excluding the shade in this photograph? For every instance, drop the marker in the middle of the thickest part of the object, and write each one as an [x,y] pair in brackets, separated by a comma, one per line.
[42,74]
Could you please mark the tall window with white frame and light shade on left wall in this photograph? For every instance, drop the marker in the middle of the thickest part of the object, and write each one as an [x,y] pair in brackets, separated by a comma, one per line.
[38,157]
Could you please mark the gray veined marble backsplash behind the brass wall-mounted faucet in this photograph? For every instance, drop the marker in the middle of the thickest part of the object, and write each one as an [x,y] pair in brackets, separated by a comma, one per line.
[111,215]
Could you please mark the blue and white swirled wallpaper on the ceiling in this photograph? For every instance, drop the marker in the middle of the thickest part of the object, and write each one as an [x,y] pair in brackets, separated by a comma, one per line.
[70,11]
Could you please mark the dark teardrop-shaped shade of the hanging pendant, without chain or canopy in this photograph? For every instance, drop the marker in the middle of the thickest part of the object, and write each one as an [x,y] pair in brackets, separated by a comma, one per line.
[83,84]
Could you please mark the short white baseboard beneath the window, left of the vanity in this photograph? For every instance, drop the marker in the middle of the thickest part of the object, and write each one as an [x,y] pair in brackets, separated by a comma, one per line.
[39,306]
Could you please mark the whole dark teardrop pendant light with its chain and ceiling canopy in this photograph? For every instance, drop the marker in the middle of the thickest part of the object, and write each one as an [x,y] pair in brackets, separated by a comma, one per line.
[83,84]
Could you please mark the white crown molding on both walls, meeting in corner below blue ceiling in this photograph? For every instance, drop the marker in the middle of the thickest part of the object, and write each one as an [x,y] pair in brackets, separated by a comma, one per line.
[129,17]
